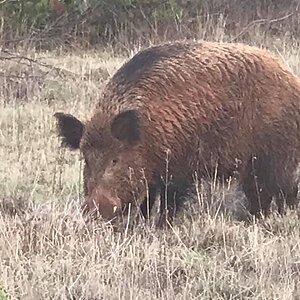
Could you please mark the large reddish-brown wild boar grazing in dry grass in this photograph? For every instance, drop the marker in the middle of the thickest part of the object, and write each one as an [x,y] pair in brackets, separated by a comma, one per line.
[178,109]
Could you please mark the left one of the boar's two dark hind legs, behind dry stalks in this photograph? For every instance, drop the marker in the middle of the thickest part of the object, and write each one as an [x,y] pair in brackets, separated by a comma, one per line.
[259,185]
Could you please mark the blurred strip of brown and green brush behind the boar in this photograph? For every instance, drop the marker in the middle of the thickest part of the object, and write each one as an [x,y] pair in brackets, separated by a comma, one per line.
[47,24]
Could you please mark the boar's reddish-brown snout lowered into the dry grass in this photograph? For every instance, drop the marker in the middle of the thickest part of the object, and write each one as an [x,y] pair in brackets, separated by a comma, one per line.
[101,202]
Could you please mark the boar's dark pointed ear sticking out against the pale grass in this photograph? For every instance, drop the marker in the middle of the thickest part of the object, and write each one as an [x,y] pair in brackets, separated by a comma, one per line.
[70,129]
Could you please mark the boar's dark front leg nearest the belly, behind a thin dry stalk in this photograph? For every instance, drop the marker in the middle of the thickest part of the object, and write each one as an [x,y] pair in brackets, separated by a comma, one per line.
[171,198]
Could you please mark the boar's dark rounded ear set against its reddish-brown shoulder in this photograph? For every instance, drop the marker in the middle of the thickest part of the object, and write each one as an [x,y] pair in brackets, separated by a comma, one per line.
[125,126]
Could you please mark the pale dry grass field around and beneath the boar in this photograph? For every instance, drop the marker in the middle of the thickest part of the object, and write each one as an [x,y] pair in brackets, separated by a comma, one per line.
[47,251]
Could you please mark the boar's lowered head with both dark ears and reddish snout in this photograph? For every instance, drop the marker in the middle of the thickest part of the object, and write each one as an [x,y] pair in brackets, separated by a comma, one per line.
[112,151]
